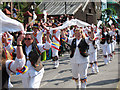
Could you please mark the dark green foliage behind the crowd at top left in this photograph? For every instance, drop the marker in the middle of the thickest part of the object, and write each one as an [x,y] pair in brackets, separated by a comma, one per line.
[22,8]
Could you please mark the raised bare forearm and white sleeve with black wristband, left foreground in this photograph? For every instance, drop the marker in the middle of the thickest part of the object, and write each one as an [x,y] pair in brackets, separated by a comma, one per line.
[20,60]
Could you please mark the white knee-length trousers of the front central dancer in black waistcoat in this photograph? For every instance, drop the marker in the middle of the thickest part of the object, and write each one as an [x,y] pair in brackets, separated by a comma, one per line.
[79,70]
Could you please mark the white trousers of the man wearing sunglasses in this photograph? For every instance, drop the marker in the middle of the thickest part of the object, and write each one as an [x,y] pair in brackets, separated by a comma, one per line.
[32,82]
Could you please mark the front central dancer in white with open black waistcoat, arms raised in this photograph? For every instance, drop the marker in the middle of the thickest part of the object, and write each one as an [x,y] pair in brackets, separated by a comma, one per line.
[79,56]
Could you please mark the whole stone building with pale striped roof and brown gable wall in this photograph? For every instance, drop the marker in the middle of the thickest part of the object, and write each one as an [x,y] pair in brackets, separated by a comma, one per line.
[89,12]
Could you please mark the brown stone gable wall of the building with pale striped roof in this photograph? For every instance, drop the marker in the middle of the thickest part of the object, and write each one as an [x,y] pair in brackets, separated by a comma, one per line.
[91,14]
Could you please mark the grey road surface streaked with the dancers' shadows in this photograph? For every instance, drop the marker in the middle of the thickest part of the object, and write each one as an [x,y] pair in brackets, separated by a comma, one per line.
[108,77]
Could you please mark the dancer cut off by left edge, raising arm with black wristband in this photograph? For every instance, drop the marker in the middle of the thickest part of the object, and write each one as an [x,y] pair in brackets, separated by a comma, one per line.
[12,66]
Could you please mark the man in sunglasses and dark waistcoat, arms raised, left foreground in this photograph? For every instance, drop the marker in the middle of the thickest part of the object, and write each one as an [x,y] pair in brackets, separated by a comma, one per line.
[32,78]
